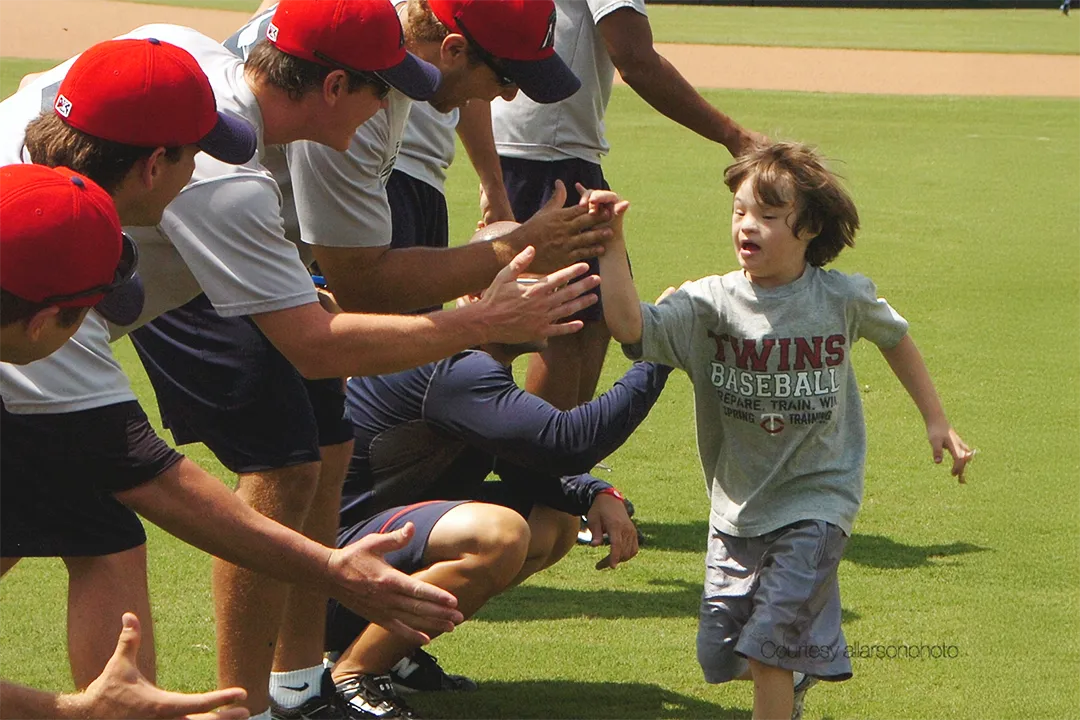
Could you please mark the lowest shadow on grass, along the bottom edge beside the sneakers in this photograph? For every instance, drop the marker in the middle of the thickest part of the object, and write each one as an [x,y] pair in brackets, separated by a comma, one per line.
[543,700]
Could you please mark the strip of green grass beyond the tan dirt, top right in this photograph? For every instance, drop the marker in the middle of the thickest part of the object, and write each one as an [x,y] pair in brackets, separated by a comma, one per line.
[957,31]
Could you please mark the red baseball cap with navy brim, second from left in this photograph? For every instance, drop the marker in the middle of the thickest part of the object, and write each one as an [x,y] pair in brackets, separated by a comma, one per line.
[148,93]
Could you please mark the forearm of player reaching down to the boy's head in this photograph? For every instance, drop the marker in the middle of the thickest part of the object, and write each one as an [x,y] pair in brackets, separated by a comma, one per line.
[660,85]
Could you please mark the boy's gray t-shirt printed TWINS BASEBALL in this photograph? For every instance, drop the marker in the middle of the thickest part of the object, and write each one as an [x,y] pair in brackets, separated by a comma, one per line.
[780,423]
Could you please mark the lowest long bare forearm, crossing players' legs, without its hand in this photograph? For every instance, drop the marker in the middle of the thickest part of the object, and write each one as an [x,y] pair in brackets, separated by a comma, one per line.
[194,507]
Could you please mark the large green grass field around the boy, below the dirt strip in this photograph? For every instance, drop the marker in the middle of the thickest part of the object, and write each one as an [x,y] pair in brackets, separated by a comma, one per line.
[968,213]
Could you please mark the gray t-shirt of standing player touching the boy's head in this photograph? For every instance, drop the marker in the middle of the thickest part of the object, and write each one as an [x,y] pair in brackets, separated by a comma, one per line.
[574,128]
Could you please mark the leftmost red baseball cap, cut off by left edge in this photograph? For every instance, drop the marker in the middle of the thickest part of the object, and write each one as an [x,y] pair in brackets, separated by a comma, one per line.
[61,243]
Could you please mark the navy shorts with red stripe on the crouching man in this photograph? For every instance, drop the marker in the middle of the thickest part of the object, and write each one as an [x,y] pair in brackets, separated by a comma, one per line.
[343,626]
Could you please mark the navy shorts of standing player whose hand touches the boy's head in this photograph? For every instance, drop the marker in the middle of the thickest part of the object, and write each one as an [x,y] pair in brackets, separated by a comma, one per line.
[530,185]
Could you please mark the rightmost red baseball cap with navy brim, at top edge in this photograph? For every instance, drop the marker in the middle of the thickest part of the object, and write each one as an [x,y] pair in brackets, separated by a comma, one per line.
[519,39]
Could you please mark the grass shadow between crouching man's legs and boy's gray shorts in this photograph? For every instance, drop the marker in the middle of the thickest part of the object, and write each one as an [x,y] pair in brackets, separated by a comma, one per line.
[678,600]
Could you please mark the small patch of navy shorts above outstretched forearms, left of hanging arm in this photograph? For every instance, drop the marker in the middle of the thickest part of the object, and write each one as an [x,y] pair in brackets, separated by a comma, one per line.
[418,215]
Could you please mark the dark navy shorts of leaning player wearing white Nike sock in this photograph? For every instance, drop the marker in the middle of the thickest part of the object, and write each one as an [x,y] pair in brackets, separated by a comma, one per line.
[222,383]
